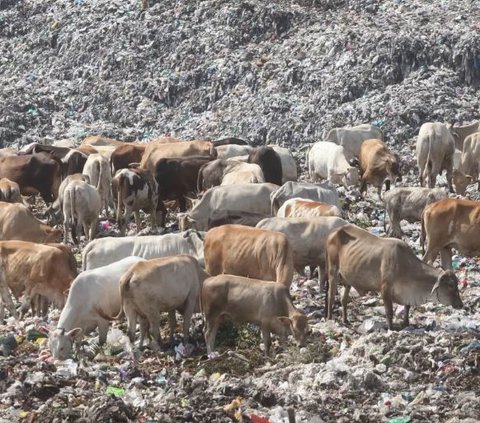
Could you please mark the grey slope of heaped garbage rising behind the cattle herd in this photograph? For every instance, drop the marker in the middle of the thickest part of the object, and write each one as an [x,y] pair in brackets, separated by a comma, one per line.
[276,72]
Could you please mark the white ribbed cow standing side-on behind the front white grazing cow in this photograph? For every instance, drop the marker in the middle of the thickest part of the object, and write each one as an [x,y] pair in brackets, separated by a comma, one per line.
[104,251]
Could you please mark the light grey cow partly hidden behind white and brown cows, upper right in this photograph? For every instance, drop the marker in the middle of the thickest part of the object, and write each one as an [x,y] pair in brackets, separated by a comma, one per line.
[351,138]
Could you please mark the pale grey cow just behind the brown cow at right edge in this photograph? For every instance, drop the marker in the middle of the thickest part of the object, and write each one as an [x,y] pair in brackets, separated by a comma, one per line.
[407,203]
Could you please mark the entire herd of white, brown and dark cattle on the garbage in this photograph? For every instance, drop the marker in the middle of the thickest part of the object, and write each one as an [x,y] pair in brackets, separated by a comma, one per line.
[245,226]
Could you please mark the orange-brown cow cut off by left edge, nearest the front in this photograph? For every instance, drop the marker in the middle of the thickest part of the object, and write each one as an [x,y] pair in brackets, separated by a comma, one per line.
[34,269]
